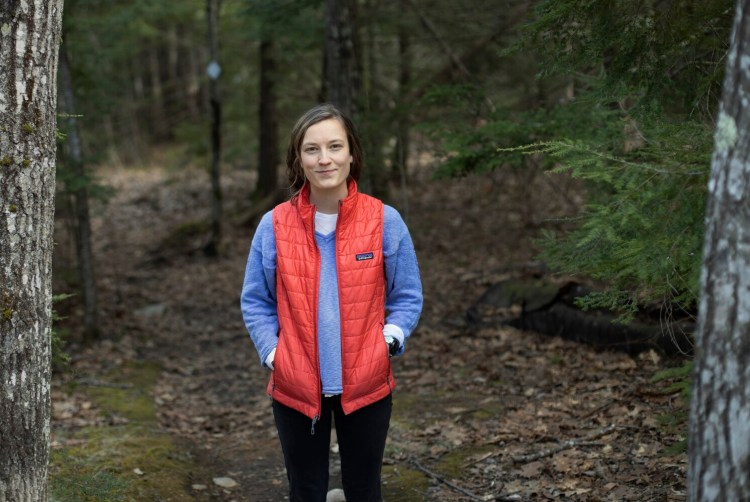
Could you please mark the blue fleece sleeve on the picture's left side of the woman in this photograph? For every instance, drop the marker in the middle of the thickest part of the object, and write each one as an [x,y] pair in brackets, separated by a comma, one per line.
[258,298]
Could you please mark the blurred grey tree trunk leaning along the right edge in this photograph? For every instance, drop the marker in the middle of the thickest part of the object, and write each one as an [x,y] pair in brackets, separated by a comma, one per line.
[719,434]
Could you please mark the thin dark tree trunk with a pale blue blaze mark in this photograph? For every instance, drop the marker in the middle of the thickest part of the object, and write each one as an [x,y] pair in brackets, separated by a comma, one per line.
[212,13]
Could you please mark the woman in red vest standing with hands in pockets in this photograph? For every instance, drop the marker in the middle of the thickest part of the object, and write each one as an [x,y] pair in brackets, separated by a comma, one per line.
[331,291]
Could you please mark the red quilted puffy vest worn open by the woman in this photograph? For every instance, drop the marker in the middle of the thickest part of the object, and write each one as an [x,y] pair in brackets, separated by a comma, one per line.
[366,368]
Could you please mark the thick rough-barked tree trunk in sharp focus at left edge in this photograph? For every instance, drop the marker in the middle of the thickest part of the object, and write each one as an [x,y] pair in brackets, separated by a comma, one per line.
[29,43]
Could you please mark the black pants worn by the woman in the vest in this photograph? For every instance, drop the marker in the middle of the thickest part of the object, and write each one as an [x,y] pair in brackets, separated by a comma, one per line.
[361,436]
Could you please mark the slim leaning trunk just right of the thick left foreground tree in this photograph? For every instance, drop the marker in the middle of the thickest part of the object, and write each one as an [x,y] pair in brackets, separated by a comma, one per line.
[80,203]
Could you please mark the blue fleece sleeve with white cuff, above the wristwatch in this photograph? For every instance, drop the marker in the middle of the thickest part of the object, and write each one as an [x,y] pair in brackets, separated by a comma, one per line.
[403,301]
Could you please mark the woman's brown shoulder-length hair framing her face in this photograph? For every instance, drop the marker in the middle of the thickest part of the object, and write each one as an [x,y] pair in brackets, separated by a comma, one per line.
[319,113]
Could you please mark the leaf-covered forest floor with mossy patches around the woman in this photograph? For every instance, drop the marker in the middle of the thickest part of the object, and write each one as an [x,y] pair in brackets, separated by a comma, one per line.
[173,397]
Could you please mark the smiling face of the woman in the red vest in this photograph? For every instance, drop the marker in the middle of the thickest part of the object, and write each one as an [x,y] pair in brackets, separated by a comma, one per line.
[326,159]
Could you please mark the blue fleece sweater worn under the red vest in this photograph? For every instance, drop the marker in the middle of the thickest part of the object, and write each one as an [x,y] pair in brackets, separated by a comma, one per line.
[403,293]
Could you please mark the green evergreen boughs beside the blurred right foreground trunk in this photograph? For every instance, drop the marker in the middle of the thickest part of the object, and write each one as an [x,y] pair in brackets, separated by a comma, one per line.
[626,103]
